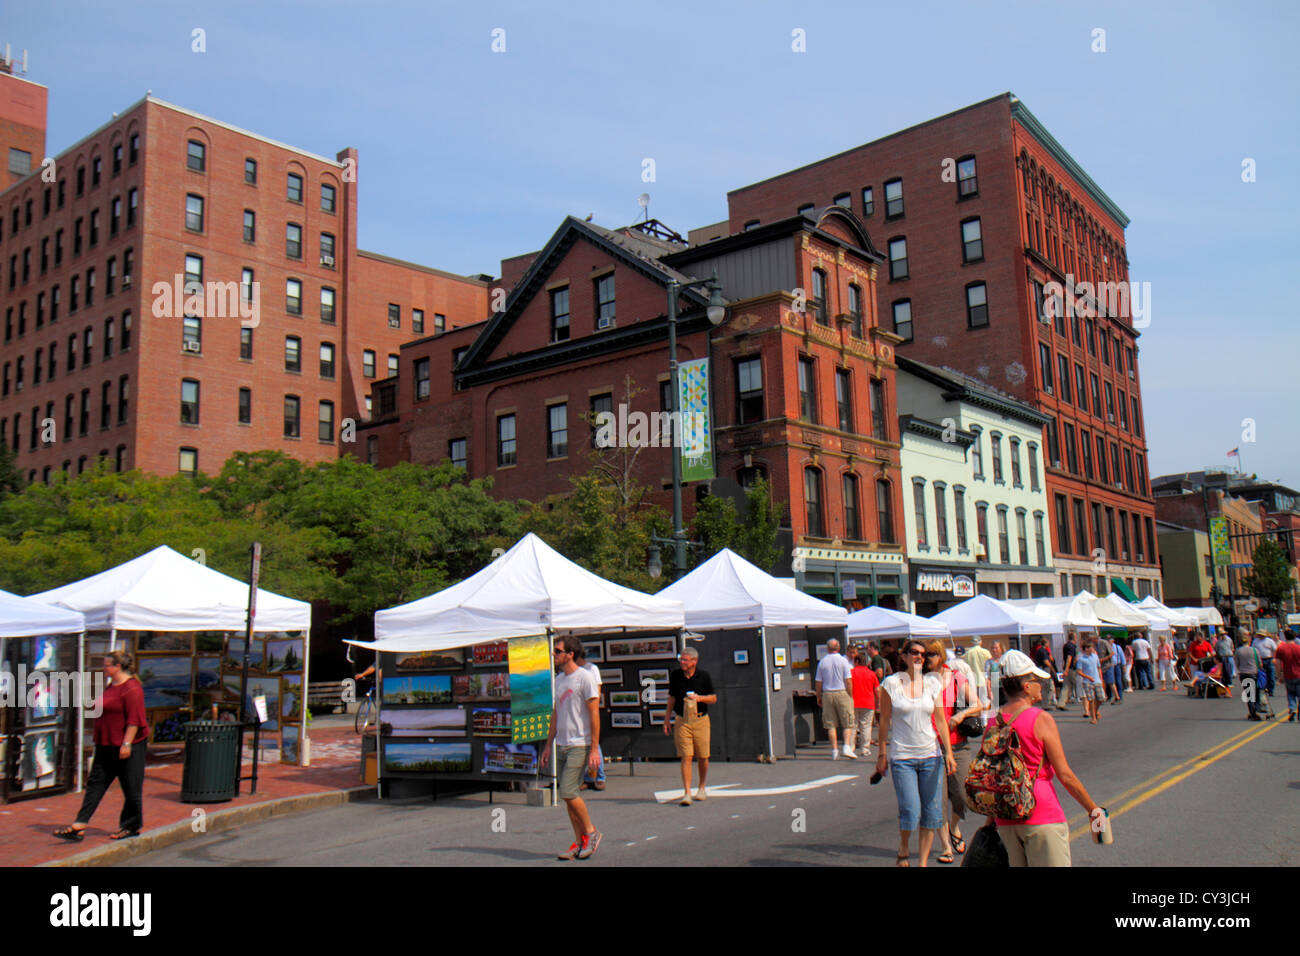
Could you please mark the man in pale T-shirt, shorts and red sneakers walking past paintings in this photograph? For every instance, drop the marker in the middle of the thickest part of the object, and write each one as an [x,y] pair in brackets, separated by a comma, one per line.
[577,726]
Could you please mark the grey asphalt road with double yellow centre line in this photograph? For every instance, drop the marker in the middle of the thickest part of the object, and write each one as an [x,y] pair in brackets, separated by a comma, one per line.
[1188,782]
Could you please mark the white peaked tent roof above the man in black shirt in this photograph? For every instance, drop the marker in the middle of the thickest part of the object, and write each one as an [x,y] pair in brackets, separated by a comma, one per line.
[729,591]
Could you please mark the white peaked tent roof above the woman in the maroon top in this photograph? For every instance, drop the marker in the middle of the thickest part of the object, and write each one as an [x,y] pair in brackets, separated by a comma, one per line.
[164,591]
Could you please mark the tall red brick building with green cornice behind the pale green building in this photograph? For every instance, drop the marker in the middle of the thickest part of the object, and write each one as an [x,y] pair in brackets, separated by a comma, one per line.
[980,213]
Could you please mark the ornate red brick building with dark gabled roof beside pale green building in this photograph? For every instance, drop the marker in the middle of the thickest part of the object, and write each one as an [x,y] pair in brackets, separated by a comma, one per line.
[803,387]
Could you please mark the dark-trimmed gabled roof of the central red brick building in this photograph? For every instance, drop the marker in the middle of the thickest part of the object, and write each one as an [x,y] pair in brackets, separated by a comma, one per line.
[627,246]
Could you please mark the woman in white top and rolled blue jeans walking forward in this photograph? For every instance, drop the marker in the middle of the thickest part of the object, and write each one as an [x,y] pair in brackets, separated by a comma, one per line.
[911,750]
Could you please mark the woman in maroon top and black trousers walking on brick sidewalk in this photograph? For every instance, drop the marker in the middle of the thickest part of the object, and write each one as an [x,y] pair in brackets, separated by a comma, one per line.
[122,743]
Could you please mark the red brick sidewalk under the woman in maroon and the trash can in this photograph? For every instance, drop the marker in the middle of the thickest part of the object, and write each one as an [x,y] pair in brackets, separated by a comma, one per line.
[27,828]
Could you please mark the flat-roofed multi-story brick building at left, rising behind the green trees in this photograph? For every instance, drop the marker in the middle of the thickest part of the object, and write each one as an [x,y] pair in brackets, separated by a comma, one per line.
[181,289]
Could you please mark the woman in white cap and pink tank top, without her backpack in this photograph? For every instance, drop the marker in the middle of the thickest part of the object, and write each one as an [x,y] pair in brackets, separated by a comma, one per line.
[1043,838]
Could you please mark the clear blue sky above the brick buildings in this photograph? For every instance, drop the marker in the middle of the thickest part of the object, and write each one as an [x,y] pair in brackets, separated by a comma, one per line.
[469,157]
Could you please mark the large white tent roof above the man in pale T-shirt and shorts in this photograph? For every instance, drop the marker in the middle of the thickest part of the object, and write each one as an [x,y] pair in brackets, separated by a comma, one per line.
[525,592]
